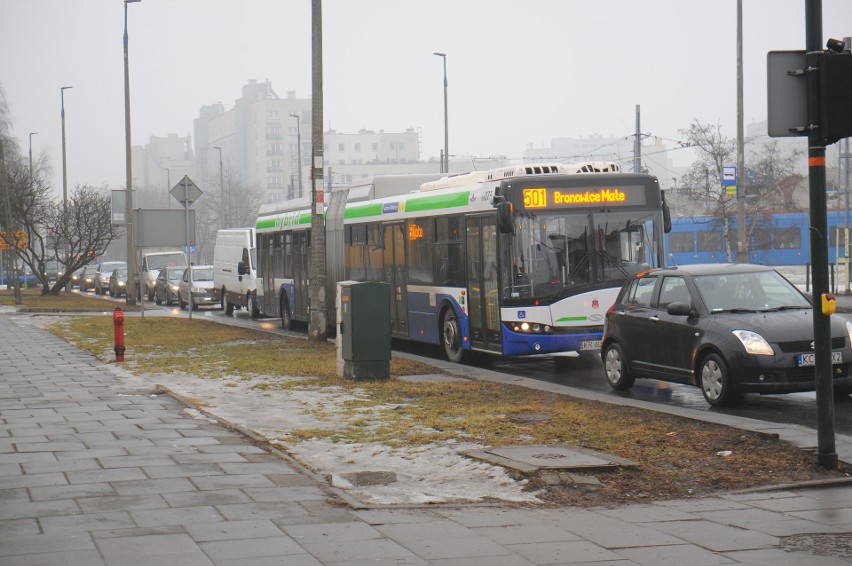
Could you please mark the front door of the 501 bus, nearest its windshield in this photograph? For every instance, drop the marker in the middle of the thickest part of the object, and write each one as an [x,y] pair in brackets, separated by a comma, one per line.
[483,284]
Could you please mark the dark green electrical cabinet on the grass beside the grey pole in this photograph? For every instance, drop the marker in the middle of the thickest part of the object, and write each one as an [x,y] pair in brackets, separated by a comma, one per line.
[365,329]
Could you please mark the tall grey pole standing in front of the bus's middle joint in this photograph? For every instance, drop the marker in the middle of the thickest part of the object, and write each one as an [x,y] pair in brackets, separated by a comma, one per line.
[318,322]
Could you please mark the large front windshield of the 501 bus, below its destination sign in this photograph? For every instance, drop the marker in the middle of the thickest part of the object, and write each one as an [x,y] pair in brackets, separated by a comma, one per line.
[555,252]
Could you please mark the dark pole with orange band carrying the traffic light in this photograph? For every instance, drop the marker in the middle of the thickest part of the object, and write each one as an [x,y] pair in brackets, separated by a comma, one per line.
[826,454]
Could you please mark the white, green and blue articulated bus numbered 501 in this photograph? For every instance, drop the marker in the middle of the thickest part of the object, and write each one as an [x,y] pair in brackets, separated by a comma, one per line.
[517,261]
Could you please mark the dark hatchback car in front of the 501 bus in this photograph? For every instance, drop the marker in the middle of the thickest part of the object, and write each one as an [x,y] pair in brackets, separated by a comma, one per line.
[726,328]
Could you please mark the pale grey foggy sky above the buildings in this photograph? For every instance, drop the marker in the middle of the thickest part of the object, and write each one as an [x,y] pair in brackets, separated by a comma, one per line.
[519,72]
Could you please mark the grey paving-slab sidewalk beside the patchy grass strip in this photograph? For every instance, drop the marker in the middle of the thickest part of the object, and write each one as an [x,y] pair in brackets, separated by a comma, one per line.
[94,470]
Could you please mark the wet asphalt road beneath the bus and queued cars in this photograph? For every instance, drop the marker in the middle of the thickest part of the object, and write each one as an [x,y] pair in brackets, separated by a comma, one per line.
[585,372]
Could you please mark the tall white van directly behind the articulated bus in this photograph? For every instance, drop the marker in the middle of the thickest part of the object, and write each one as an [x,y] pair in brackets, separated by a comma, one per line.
[235,270]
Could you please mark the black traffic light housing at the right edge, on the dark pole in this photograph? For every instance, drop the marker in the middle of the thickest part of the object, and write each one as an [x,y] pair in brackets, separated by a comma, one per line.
[835,85]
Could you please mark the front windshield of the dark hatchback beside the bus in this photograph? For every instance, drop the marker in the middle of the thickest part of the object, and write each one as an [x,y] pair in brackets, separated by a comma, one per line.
[756,291]
